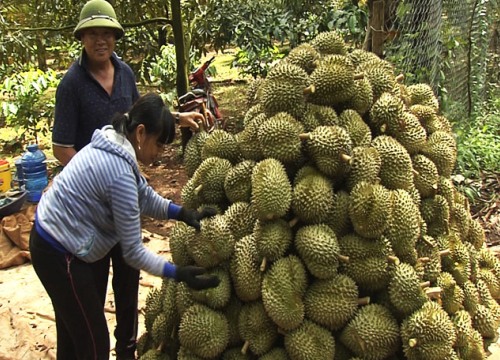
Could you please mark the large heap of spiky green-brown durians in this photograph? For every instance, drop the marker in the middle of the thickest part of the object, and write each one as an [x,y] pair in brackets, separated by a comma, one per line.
[339,232]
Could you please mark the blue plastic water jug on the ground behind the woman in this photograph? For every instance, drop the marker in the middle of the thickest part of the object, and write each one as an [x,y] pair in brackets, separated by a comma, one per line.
[34,172]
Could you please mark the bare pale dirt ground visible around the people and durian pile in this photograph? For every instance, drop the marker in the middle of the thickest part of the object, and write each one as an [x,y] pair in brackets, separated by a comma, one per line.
[27,327]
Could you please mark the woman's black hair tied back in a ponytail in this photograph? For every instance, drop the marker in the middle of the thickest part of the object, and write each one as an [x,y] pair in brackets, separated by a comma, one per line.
[150,111]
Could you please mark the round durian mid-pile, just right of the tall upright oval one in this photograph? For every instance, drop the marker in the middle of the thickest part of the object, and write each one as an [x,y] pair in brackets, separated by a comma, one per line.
[312,198]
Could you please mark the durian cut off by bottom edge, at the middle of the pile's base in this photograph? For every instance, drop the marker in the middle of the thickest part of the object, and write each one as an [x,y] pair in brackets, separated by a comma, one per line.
[310,341]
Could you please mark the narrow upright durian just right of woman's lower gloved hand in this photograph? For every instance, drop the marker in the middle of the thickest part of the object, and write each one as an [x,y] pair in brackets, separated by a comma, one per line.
[245,269]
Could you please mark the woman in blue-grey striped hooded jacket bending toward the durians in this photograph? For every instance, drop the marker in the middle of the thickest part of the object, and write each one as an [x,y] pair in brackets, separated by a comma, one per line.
[95,203]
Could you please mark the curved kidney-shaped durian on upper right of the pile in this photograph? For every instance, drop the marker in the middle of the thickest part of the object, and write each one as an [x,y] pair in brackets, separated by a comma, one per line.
[396,171]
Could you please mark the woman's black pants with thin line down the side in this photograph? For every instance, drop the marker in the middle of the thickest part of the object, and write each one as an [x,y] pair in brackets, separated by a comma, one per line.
[82,331]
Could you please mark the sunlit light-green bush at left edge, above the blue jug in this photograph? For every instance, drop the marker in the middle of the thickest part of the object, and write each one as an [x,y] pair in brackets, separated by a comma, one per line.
[26,106]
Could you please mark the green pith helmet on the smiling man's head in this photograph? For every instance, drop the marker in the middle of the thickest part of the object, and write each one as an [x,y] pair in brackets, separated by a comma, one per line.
[98,13]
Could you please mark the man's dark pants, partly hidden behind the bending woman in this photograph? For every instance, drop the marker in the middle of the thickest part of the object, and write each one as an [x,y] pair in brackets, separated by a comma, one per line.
[125,287]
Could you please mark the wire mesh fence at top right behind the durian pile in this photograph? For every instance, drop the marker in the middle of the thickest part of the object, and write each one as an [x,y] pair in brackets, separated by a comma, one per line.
[447,44]
